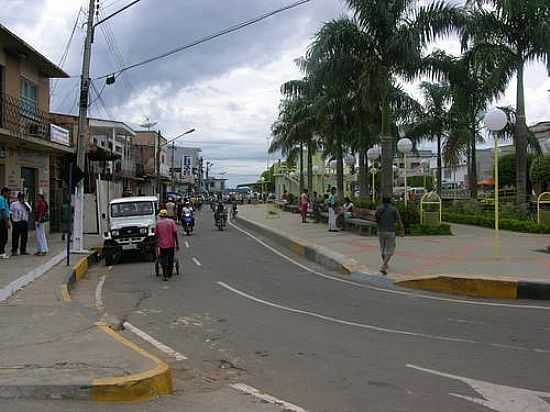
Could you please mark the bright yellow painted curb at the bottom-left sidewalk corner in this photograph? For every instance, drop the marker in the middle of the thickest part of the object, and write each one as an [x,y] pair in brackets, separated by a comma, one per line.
[136,387]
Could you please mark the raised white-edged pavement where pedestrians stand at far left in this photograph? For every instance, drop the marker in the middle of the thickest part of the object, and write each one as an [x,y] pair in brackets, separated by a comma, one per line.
[18,271]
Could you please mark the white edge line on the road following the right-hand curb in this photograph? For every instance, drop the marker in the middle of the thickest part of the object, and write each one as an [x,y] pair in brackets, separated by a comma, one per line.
[378,289]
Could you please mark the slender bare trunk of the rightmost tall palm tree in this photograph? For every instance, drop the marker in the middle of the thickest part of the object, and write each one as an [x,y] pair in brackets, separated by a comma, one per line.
[521,136]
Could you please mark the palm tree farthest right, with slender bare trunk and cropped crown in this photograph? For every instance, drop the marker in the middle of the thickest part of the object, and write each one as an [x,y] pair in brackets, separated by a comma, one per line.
[516,33]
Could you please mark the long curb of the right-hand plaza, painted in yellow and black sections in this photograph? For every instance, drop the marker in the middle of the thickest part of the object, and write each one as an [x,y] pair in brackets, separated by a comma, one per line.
[470,287]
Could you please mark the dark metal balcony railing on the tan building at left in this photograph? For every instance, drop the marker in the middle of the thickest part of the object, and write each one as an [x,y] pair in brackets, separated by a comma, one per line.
[23,118]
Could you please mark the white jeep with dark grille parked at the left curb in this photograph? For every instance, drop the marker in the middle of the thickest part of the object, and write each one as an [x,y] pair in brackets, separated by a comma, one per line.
[131,228]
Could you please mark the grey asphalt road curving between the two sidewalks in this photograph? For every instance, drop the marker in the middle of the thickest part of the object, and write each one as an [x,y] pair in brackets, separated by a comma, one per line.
[243,314]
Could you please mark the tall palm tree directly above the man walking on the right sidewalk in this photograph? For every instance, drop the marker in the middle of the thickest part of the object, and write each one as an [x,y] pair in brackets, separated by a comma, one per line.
[396,31]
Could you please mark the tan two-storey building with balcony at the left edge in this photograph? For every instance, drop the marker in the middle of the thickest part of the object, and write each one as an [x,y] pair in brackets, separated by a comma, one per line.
[33,150]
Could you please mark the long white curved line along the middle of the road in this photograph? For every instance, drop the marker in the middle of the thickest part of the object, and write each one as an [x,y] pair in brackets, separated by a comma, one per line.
[367,326]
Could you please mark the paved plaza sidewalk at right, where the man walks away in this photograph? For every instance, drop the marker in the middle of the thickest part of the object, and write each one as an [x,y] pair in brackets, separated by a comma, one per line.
[467,254]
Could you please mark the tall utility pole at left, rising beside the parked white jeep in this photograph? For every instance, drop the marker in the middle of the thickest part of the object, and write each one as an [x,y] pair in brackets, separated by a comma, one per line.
[78,231]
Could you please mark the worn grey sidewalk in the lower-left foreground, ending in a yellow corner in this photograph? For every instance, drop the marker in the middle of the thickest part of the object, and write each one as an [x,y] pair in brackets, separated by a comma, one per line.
[53,350]
